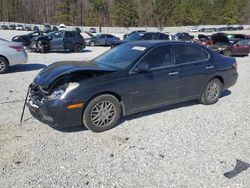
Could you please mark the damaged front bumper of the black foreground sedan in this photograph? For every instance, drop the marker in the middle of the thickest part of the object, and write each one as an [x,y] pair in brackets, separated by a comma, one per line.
[54,112]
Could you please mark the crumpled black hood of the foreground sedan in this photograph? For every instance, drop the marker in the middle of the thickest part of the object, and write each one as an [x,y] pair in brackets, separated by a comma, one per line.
[49,74]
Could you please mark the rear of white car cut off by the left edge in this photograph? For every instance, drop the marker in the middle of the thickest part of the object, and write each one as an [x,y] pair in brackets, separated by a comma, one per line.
[11,53]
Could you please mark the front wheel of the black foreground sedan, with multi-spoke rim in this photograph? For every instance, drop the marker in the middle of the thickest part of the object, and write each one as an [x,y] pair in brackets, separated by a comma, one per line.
[102,113]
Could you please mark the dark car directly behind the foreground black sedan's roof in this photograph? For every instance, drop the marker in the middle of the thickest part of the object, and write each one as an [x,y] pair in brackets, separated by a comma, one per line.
[139,36]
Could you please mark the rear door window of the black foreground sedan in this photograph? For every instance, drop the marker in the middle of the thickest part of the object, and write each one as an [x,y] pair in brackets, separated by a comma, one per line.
[190,53]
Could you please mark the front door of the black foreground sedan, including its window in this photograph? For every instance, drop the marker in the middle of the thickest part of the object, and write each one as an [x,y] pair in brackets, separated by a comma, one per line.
[159,85]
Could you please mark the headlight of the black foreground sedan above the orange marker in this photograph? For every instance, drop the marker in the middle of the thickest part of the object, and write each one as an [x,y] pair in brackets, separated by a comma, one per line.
[62,91]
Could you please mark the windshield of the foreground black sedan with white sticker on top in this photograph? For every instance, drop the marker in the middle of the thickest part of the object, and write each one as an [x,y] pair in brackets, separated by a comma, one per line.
[121,56]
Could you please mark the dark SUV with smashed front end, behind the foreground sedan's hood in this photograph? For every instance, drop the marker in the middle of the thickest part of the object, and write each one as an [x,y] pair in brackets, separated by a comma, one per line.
[58,41]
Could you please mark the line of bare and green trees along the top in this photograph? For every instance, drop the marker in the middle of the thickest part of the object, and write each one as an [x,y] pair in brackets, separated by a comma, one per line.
[126,13]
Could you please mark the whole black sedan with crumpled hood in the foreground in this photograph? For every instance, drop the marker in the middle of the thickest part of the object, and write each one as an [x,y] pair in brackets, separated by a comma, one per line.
[130,78]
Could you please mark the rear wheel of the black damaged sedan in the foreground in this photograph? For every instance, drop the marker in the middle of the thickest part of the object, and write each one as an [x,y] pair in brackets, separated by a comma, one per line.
[212,92]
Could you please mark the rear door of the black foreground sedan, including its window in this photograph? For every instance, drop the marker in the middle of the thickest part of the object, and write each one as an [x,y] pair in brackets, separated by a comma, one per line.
[195,67]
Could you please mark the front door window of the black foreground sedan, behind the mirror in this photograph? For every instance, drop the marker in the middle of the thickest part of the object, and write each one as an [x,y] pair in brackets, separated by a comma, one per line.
[159,57]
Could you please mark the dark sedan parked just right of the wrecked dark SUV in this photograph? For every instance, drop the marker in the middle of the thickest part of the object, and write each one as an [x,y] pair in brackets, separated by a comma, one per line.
[101,40]
